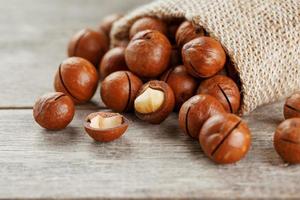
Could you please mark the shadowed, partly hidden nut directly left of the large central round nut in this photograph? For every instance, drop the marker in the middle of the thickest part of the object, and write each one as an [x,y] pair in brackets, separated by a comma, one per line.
[112,61]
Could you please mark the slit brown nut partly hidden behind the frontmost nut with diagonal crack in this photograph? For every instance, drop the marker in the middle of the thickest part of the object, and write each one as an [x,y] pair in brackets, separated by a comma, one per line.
[194,112]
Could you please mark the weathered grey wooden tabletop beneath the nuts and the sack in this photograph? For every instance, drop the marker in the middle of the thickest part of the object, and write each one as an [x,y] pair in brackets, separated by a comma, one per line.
[148,162]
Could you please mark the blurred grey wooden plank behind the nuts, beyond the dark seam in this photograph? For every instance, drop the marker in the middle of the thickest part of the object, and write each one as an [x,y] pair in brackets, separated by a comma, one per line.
[34,37]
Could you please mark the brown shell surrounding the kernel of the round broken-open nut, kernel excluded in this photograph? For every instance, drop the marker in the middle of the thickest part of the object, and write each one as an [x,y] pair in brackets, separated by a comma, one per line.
[165,109]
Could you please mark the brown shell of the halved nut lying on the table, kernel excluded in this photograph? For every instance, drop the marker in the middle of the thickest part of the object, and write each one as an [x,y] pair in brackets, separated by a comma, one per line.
[105,135]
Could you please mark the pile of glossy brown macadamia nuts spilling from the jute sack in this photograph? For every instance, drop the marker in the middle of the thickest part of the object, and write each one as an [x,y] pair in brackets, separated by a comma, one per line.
[166,66]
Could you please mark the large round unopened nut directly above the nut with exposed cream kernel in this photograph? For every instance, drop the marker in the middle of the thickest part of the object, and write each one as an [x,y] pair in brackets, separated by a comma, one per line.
[148,54]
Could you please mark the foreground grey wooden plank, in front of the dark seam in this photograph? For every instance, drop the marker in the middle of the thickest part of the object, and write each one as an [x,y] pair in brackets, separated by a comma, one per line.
[148,162]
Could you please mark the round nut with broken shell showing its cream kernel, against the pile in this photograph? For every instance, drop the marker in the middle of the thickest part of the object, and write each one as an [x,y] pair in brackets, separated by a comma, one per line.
[154,102]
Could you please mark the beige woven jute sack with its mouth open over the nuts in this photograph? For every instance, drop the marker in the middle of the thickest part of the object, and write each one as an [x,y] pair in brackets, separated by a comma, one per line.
[262,38]
